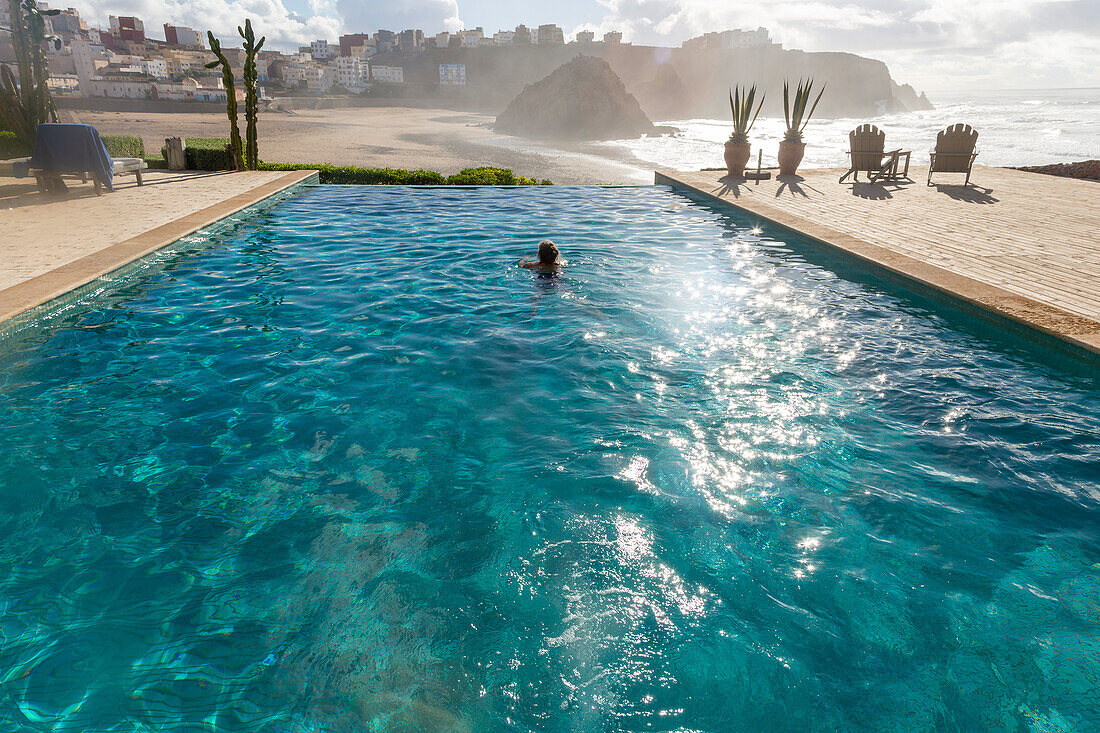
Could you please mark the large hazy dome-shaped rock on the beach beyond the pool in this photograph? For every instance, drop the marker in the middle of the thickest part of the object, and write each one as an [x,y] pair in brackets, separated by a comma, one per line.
[582,101]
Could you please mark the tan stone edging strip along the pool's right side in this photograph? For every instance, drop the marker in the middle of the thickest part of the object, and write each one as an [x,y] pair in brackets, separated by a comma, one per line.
[1073,329]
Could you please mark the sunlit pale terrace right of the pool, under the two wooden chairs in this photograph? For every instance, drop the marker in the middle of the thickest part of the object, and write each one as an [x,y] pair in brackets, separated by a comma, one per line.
[1021,245]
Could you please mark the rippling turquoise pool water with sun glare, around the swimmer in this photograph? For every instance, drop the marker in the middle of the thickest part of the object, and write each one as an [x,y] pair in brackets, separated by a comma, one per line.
[346,467]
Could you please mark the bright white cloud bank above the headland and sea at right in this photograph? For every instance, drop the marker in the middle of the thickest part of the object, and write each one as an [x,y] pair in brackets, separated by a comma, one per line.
[931,43]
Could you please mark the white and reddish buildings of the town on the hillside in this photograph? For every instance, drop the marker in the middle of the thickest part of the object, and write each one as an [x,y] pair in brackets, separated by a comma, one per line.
[123,62]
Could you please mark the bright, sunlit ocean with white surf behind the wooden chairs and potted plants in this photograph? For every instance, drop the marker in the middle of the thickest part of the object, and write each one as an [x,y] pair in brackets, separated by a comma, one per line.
[1016,128]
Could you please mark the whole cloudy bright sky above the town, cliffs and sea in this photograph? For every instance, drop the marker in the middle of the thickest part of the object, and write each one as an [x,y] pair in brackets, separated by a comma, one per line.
[931,45]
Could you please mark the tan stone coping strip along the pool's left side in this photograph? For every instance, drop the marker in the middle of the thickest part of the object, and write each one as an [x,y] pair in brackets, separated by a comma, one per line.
[42,289]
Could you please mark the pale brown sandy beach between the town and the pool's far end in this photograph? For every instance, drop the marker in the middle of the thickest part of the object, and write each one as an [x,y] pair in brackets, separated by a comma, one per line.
[388,137]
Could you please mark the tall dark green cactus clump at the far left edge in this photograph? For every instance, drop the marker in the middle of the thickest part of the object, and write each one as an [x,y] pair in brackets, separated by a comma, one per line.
[27,103]
